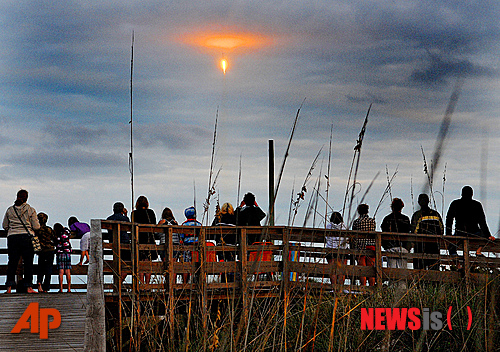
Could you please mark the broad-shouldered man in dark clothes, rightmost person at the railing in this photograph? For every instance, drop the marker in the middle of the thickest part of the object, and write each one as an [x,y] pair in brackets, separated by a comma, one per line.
[470,220]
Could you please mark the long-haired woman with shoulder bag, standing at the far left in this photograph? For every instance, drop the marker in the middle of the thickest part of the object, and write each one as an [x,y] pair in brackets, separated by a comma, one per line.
[20,222]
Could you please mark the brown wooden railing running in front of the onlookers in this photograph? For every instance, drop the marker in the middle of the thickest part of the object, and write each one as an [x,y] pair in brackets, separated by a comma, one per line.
[305,243]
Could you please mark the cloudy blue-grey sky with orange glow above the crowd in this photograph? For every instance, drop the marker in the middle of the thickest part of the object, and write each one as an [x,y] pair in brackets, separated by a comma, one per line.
[65,106]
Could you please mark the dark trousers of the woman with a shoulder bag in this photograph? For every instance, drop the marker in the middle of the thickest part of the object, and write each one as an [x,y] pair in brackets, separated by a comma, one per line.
[20,246]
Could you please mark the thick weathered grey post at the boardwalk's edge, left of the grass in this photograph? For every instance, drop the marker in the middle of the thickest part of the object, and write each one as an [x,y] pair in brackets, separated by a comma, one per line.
[95,324]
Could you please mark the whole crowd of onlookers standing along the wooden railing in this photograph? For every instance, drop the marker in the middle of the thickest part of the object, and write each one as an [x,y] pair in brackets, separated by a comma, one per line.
[28,234]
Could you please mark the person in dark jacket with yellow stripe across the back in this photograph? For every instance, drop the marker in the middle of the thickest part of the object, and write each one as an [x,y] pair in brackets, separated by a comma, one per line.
[428,222]
